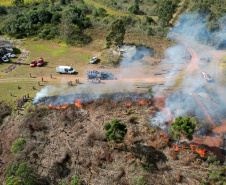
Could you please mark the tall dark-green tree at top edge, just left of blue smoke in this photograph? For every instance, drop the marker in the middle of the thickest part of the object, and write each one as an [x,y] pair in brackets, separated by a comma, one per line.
[165,9]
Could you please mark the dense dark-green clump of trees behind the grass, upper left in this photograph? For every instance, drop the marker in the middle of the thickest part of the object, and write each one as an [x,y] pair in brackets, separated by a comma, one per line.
[45,20]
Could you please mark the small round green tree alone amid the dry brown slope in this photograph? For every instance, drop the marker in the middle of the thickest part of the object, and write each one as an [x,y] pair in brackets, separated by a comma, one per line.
[115,131]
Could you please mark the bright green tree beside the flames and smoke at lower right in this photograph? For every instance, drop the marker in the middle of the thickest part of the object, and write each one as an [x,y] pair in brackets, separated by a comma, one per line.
[182,126]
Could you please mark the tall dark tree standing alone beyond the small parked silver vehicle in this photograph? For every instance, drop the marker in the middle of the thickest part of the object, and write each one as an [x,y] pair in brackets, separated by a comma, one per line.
[116,33]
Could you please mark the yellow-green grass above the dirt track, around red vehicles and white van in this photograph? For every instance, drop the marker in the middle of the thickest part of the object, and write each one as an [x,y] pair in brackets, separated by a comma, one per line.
[54,55]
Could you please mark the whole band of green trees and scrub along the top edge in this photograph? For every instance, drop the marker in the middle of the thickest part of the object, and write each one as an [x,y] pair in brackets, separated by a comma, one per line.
[66,20]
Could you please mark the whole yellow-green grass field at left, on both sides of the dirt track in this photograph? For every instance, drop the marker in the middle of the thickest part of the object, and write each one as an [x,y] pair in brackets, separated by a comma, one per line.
[54,55]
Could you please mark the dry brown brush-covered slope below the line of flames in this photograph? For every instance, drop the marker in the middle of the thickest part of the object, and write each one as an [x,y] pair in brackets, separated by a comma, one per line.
[67,142]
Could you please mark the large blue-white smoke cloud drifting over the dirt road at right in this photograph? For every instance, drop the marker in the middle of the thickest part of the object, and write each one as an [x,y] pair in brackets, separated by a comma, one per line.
[195,96]
